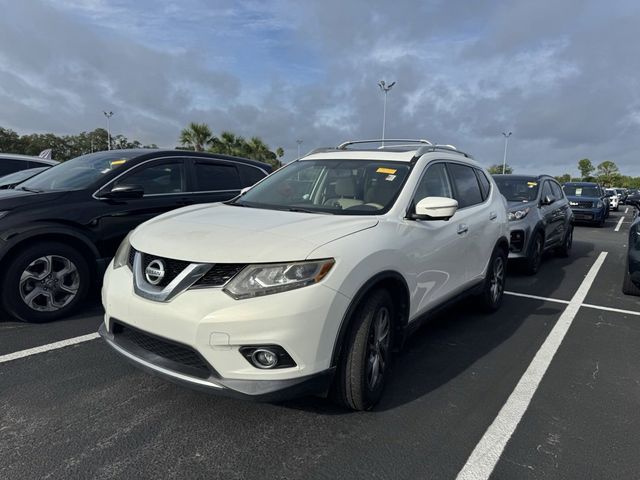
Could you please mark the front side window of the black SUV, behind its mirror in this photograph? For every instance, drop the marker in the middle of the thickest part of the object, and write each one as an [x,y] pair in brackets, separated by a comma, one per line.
[158,178]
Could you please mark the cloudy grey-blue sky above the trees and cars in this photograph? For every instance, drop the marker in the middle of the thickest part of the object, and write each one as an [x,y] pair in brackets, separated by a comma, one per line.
[563,76]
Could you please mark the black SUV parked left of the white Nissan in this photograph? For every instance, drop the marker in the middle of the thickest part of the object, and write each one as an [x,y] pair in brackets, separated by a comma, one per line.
[60,228]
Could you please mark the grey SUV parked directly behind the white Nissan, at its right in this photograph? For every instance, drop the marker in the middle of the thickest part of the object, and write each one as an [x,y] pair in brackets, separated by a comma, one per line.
[540,219]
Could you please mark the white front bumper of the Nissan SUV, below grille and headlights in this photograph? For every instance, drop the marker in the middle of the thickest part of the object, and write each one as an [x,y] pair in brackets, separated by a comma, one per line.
[303,322]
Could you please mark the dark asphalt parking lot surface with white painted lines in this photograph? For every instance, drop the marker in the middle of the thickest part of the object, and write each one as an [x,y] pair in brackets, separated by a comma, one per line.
[549,387]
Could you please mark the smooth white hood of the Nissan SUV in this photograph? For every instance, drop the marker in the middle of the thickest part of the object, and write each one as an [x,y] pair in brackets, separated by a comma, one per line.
[221,233]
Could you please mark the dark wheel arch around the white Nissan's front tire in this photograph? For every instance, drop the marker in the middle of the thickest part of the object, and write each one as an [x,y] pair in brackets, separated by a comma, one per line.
[393,282]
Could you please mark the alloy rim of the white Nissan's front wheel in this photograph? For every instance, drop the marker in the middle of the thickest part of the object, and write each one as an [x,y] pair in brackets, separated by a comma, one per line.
[378,347]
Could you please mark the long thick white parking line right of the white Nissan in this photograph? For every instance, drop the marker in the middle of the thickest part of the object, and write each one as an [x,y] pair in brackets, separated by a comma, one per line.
[485,456]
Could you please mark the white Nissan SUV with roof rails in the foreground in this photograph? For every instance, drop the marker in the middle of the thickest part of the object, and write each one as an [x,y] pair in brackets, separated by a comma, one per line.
[308,282]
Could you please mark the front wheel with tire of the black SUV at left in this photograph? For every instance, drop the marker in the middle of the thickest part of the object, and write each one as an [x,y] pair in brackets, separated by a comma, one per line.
[45,282]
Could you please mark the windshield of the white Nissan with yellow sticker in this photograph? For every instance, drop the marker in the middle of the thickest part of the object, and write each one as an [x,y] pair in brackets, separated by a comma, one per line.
[342,187]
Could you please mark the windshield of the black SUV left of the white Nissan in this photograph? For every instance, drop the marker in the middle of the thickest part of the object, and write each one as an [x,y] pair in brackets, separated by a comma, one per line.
[78,173]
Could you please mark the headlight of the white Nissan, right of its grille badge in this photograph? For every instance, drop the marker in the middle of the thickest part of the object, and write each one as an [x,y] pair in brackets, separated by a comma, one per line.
[259,280]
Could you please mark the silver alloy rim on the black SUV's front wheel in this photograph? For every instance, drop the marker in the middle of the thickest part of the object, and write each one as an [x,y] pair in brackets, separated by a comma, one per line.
[49,283]
